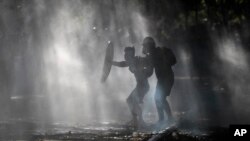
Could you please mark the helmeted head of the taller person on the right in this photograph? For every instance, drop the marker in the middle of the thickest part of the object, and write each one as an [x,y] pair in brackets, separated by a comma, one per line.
[148,45]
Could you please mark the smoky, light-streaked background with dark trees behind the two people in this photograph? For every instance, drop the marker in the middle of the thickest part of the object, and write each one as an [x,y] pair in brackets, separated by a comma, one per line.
[51,57]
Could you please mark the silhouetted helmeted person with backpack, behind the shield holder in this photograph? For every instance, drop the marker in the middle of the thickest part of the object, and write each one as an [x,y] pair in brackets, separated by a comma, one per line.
[162,60]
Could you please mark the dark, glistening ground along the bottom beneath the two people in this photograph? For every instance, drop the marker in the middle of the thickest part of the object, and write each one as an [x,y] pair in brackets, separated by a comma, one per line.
[35,131]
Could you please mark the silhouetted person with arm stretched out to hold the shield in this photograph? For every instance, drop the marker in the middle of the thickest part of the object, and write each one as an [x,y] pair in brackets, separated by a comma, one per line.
[142,70]
